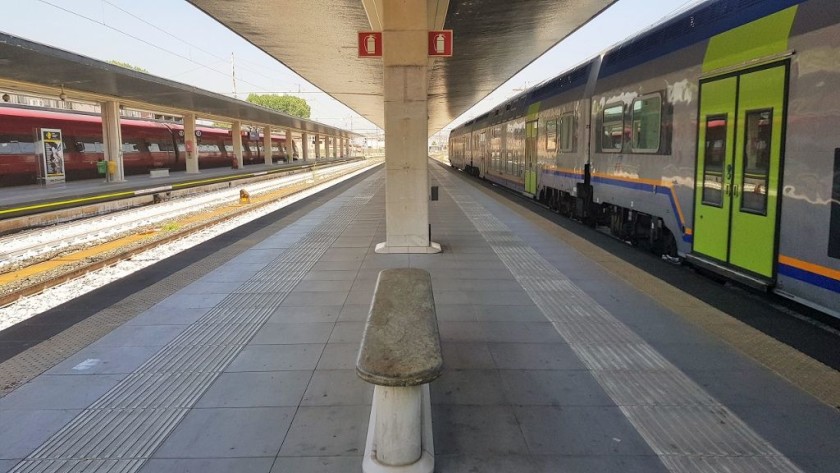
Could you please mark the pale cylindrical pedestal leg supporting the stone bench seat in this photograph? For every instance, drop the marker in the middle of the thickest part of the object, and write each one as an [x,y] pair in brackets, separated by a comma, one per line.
[400,431]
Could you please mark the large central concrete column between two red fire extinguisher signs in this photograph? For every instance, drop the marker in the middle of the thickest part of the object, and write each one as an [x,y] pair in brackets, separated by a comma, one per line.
[405,60]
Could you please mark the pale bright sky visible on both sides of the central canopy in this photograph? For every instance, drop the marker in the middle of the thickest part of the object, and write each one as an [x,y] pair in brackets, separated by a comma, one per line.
[174,40]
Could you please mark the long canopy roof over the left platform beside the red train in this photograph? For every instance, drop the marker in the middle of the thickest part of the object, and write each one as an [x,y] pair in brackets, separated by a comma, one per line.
[37,68]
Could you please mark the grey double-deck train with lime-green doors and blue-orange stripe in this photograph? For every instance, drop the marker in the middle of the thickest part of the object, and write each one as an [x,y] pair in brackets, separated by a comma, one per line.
[711,138]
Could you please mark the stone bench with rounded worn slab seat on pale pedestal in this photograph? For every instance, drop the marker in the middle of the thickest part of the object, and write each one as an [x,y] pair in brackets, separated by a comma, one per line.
[400,354]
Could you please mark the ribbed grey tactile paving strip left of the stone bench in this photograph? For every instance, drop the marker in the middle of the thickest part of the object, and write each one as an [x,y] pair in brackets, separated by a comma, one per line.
[125,426]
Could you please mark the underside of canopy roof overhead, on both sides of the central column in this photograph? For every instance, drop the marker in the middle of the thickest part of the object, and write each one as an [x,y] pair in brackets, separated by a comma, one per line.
[494,39]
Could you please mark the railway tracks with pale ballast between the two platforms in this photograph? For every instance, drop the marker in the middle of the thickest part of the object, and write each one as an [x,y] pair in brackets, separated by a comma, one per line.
[113,242]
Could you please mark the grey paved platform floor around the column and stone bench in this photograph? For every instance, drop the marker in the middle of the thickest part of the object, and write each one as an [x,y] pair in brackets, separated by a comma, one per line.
[554,361]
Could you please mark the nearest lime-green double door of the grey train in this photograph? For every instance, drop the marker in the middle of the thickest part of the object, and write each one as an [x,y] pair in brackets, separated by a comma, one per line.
[739,156]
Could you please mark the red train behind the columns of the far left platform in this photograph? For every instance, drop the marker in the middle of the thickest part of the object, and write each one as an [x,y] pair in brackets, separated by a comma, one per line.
[147,145]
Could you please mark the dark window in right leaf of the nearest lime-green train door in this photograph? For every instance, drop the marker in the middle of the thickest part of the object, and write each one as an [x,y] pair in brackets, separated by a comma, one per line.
[758,135]
